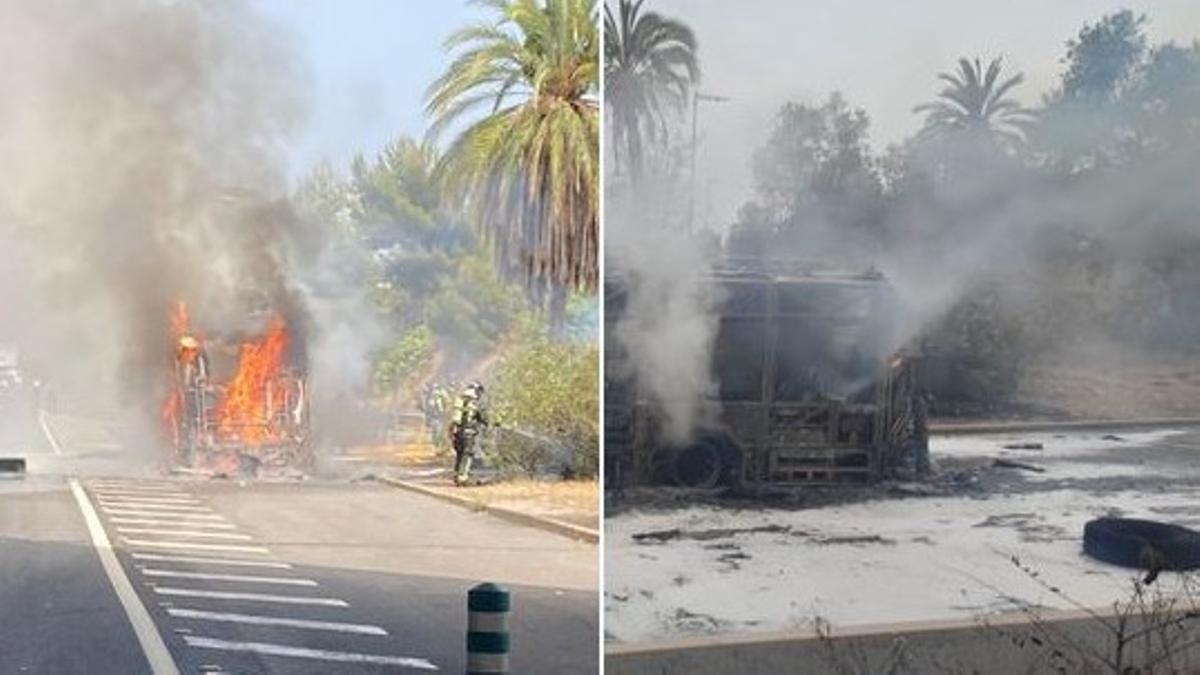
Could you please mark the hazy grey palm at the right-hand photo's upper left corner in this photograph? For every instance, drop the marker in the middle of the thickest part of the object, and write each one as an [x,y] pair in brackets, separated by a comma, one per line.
[650,70]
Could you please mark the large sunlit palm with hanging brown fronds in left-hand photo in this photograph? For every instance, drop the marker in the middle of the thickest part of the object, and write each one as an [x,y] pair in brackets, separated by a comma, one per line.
[527,169]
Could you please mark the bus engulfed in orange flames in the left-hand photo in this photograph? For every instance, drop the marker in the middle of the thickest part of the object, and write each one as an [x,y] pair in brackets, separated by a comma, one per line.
[237,405]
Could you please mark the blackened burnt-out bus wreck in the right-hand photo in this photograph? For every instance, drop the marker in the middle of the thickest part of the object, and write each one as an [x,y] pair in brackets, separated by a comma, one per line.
[805,390]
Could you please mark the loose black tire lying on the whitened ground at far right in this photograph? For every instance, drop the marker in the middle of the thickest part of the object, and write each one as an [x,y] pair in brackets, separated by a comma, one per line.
[1143,545]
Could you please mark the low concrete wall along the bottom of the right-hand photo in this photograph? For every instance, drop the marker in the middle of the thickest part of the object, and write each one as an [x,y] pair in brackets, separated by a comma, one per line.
[1051,643]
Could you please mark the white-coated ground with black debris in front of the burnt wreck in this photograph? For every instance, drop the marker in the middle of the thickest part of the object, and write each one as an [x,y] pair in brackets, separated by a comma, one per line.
[898,553]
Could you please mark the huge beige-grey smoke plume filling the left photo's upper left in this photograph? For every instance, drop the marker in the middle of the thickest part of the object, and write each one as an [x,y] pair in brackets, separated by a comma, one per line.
[142,145]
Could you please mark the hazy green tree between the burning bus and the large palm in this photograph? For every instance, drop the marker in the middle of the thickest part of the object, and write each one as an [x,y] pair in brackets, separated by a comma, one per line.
[433,286]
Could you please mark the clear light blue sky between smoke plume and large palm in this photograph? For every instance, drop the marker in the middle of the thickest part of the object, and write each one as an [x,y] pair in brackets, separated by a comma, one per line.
[368,67]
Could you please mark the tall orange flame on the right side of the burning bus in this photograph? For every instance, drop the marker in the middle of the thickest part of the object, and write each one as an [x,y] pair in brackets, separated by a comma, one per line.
[248,409]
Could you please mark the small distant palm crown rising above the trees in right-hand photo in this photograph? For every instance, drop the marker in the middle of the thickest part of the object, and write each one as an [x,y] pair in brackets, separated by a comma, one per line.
[974,104]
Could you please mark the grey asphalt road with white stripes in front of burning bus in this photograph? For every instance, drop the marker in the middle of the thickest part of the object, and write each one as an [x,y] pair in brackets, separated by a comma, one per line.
[309,577]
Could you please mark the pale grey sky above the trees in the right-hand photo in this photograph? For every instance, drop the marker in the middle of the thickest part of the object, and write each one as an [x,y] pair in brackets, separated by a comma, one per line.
[881,55]
